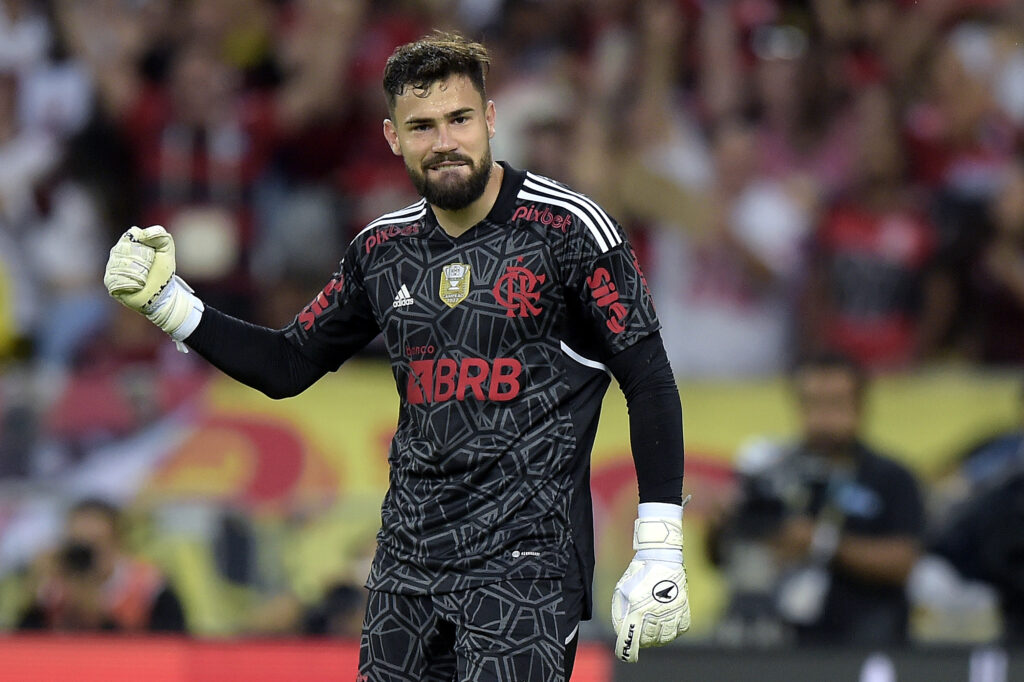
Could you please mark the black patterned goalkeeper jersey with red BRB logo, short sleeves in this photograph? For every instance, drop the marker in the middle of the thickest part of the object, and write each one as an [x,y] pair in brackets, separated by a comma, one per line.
[496,339]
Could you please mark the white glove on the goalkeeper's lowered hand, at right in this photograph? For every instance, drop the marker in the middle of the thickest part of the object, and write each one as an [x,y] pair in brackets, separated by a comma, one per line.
[650,607]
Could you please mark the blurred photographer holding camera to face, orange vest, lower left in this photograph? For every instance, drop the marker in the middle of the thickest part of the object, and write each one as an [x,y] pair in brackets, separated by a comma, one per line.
[92,584]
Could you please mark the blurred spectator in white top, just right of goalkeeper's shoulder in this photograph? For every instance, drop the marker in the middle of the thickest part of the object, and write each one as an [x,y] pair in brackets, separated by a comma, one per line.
[733,283]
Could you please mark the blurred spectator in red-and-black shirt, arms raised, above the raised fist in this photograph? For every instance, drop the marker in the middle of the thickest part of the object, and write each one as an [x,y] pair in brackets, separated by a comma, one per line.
[201,140]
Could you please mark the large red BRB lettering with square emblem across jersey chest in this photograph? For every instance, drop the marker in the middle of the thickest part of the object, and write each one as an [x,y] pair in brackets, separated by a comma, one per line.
[443,380]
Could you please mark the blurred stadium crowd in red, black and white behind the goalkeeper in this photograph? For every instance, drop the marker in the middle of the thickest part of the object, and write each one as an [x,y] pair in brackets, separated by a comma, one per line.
[796,175]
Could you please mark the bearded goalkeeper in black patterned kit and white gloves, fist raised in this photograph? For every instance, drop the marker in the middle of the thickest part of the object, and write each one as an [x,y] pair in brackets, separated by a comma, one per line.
[505,301]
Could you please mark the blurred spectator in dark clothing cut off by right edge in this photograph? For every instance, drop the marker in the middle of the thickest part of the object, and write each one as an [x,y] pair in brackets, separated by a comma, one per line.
[997,292]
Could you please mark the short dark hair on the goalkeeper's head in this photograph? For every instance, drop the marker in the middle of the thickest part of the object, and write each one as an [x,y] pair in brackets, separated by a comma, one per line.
[434,59]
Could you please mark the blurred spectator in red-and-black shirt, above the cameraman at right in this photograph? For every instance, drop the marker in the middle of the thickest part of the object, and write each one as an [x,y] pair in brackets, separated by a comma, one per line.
[873,291]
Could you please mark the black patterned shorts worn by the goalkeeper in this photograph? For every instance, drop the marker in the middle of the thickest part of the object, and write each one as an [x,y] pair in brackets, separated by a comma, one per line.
[503,632]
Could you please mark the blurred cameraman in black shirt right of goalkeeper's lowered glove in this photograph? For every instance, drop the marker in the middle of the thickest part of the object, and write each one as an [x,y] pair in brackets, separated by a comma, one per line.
[839,524]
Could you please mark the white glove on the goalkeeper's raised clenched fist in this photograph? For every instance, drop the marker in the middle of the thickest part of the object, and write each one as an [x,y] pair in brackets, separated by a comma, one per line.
[141,275]
